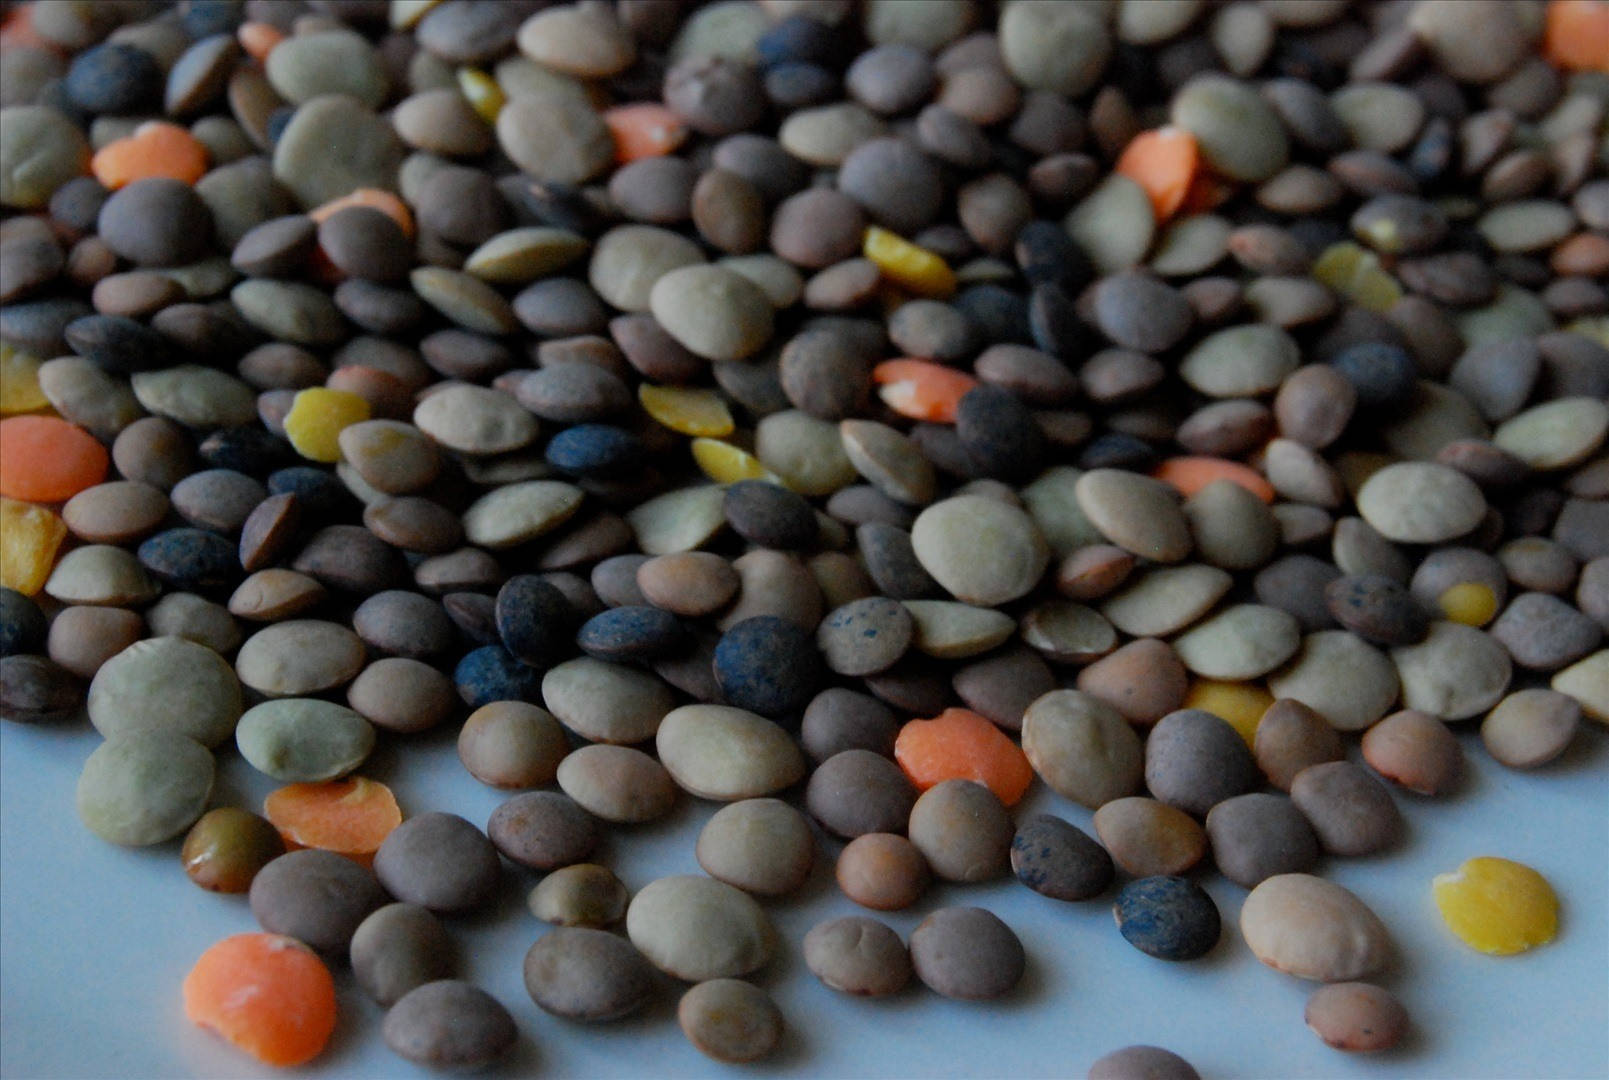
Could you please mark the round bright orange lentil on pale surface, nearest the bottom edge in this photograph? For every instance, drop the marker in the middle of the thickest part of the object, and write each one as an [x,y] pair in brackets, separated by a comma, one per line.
[266,994]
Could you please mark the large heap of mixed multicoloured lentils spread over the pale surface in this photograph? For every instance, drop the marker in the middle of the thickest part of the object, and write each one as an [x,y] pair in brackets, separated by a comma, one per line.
[852,413]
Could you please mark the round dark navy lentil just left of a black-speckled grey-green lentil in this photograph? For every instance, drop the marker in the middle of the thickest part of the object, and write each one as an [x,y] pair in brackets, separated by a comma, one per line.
[768,666]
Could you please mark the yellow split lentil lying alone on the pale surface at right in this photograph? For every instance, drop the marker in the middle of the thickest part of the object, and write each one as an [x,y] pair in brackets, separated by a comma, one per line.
[1497,907]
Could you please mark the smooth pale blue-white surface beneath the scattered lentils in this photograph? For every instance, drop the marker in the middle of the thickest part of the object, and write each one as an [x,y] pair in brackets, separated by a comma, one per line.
[96,942]
